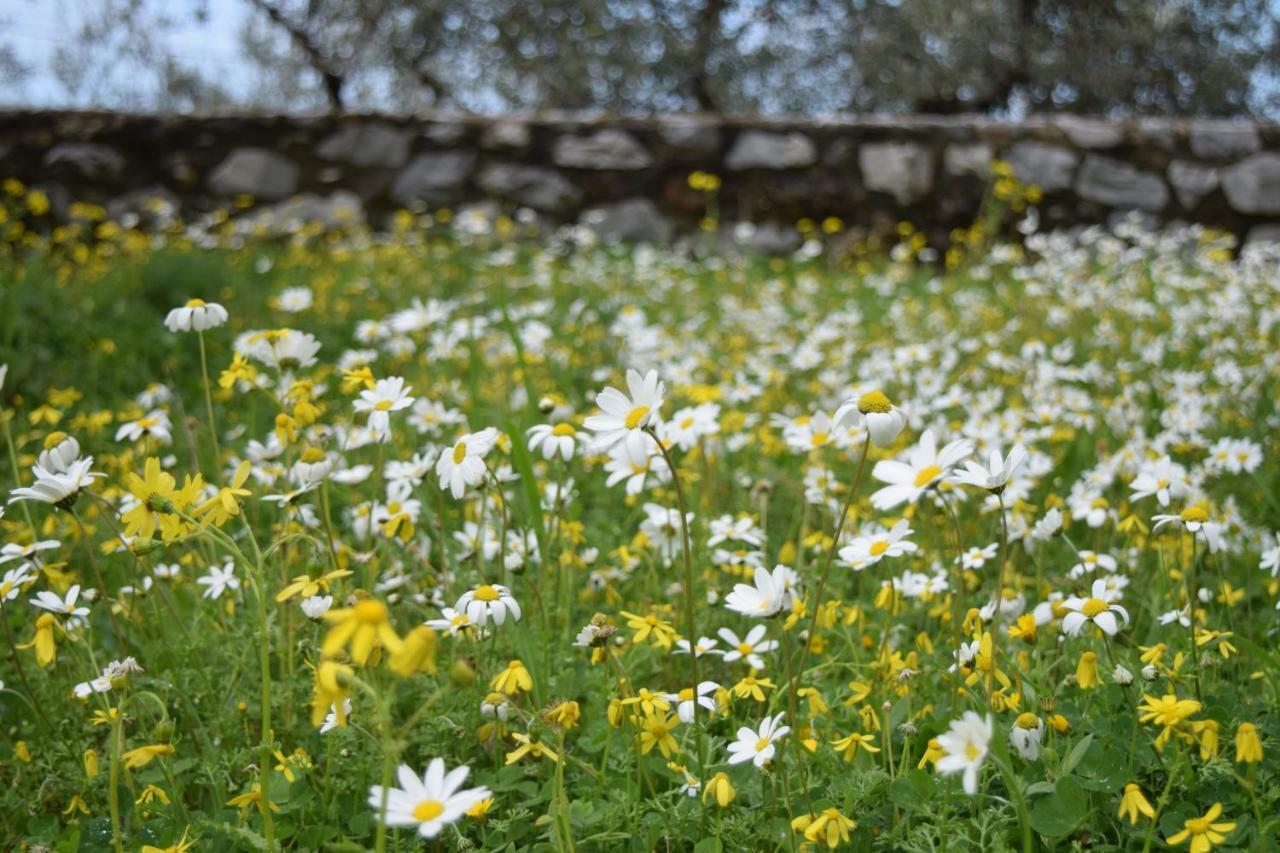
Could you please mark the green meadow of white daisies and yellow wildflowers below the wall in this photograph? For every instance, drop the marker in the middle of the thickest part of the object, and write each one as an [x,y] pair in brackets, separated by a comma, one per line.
[442,540]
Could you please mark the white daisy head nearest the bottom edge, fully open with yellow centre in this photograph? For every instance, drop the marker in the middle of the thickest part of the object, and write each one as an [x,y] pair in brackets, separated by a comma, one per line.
[432,802]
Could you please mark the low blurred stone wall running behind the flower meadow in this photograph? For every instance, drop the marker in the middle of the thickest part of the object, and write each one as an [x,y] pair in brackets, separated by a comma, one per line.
[629,177]
